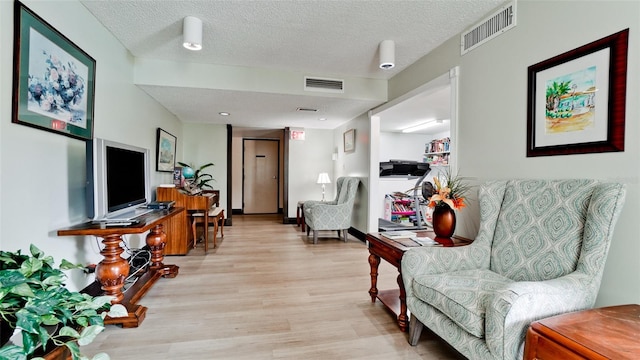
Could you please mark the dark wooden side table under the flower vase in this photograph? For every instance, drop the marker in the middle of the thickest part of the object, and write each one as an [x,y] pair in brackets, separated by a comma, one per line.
[392,252]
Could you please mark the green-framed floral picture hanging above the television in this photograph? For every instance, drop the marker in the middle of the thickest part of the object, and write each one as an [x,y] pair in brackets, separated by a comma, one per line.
[53,79]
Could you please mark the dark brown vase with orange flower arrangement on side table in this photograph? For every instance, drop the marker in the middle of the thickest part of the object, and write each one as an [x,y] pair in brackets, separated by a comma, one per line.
[449,195]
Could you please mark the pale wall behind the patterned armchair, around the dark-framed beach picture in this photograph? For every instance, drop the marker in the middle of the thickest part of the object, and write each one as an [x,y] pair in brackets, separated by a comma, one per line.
[492,119]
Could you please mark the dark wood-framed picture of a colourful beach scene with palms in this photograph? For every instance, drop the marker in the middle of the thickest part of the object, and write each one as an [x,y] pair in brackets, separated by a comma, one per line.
[576,100]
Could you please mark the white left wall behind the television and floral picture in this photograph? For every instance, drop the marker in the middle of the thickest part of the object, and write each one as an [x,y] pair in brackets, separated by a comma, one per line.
[42,174]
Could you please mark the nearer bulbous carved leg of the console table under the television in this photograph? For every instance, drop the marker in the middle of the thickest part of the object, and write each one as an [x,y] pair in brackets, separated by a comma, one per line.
[113,269]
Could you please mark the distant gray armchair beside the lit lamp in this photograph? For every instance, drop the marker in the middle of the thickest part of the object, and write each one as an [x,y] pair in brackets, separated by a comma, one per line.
[332,215]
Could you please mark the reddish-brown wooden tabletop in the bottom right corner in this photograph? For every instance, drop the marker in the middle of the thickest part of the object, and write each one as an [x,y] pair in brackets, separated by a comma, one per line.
[603,333]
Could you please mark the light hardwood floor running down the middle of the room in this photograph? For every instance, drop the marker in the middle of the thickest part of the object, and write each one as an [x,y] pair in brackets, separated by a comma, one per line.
[267,292]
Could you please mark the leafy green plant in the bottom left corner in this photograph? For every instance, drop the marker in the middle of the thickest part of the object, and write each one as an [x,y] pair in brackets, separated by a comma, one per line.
[34,300]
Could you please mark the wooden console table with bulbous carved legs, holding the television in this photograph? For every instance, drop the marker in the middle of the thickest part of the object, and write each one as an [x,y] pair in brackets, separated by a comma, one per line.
[112,271]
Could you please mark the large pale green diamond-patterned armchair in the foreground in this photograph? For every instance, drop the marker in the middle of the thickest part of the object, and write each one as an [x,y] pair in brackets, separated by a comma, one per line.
[540,251]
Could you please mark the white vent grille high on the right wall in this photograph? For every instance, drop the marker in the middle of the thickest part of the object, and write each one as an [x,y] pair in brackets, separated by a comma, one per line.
[495,24]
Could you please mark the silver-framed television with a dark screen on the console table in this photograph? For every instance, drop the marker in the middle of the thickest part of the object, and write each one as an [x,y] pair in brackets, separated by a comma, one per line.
[118,179]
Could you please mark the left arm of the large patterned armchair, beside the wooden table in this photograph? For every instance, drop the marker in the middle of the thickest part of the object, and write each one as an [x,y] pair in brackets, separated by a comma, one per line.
[436,260]
